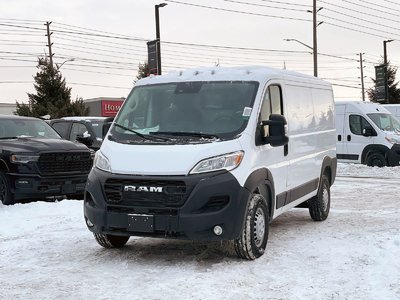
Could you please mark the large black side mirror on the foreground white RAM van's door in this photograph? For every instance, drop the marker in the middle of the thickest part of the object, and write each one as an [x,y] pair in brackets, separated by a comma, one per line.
[274,131]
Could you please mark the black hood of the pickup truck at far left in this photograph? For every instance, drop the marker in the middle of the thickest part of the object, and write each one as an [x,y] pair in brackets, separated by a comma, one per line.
[35,145]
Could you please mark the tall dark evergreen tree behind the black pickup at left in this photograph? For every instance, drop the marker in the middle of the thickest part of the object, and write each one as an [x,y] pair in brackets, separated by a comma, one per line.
[52,96]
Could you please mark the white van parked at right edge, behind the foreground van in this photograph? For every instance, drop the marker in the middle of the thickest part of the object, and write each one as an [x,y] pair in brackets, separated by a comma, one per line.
[367,133]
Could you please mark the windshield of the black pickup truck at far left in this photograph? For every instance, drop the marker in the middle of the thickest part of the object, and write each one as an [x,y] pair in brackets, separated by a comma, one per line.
[11,128]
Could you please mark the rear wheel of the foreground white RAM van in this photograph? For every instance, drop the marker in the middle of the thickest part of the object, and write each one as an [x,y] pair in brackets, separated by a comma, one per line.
[319,205]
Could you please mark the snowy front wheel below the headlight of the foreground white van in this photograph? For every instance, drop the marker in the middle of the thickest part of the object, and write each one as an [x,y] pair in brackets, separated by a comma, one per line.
[254,236]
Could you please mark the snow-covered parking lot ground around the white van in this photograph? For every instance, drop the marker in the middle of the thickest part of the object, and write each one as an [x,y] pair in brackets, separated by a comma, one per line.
[46,252]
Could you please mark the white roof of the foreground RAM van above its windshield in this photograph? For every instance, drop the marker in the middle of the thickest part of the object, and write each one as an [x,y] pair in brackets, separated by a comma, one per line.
[247,73]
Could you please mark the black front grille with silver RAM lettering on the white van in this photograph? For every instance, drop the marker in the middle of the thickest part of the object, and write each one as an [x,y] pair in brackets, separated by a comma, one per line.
[145,193]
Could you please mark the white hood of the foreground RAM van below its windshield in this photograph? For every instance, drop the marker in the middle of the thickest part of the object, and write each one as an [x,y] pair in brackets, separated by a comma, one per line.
[162,159]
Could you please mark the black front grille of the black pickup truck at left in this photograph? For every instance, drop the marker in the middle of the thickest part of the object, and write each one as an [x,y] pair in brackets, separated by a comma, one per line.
[65,162]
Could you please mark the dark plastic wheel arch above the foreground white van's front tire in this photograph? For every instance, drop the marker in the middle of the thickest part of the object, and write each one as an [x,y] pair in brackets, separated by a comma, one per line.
[261,180]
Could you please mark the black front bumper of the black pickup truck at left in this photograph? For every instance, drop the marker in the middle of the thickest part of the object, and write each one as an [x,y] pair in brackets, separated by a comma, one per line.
[27,186]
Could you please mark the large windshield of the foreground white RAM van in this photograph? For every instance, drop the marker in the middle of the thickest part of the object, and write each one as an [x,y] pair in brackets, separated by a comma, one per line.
[195,110]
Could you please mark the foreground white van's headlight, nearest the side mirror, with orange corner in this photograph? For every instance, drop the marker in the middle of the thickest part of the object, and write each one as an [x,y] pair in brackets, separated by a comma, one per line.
[223,162]
